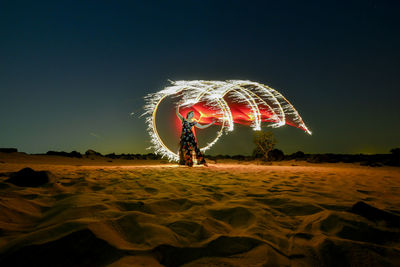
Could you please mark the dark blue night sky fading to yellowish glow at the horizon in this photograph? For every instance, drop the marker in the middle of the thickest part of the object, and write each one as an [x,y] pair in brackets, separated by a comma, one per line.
[71,72]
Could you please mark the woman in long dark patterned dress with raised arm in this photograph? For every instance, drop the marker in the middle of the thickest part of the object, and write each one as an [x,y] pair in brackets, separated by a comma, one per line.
[188,142]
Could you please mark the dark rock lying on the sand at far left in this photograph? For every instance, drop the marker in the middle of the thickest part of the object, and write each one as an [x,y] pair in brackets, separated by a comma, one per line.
[29,178]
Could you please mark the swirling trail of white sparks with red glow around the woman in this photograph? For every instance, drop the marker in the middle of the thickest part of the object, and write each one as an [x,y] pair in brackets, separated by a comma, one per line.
[229,102]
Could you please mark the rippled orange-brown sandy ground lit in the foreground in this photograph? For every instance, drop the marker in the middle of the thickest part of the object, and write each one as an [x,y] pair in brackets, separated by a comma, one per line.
[154,213]
